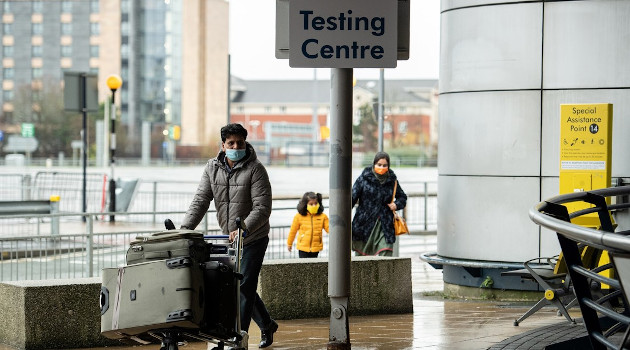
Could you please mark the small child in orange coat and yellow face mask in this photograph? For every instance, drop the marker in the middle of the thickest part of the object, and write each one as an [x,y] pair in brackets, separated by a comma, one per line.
[309,223]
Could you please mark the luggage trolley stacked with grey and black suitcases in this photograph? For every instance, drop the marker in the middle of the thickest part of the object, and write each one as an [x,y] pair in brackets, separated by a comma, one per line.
[177,284]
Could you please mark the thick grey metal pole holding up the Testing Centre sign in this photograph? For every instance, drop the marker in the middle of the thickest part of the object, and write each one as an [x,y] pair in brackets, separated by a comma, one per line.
[340,210]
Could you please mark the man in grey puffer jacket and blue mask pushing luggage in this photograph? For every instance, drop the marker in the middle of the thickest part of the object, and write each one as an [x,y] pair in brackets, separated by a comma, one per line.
[239,185]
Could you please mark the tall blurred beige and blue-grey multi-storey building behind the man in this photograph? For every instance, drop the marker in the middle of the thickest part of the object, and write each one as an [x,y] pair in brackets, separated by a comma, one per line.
[172,56]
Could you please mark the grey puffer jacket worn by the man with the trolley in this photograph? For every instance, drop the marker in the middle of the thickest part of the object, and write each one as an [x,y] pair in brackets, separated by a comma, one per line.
[244,192]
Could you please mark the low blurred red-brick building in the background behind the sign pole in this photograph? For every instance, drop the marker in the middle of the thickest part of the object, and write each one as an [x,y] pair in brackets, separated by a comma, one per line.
[276,112]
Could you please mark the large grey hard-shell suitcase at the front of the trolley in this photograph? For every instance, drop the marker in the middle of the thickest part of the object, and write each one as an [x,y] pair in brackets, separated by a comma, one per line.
[151,296]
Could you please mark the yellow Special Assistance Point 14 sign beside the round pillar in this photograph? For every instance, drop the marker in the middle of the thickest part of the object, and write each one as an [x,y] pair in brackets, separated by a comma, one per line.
[585,152]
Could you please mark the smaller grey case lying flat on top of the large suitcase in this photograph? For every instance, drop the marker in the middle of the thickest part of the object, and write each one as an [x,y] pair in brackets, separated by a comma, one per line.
[166,245]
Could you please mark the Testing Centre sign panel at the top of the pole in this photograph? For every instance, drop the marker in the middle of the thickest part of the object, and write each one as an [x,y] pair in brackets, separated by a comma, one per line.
[354,30]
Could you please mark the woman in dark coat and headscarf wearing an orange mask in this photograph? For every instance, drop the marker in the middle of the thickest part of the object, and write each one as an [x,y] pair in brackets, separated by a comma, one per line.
[373,222]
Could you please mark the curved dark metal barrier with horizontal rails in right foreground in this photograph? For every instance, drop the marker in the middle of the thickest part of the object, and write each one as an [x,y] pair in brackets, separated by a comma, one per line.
[607,316]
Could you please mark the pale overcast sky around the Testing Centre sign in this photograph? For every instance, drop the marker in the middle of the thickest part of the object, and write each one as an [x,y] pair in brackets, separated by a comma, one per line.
[252,44]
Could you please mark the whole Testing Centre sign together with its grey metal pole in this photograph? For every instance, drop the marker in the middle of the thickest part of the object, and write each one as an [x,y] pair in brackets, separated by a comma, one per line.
[341,35]
